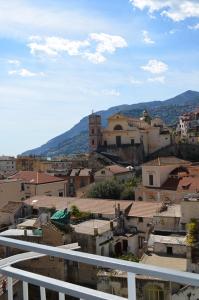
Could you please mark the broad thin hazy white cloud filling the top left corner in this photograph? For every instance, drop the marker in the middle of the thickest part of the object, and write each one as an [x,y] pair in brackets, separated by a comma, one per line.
[20,19]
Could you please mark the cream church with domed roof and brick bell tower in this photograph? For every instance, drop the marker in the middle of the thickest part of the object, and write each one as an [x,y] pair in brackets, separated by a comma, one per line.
[128,132]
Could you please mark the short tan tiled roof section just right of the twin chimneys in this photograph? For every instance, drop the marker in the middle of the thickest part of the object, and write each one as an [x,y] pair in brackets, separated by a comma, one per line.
[144,209]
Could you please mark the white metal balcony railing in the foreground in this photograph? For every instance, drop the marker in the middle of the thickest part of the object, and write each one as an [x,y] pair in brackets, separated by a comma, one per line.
[65,288]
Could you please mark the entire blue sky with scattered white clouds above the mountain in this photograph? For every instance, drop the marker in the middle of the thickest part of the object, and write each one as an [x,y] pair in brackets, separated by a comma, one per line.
[59,60]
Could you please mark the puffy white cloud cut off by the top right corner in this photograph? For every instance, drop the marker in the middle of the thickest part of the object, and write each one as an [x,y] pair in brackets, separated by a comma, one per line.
[177,10]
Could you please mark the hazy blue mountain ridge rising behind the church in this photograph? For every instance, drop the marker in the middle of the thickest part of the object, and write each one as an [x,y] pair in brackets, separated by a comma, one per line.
[75,140]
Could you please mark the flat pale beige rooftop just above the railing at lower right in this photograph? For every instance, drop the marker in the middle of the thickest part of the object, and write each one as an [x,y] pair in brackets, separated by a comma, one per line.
[175,263]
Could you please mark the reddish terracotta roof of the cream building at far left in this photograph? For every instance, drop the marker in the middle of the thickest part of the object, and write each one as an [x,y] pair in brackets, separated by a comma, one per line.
[35,177]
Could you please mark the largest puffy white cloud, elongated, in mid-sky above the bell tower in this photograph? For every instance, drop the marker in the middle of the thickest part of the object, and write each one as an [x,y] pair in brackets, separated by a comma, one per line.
[101,43]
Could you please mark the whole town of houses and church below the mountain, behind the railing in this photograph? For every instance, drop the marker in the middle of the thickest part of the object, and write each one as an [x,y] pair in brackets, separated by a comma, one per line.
[133,197]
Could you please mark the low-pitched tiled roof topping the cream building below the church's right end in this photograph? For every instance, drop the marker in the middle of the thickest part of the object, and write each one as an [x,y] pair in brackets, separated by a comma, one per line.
[168,160]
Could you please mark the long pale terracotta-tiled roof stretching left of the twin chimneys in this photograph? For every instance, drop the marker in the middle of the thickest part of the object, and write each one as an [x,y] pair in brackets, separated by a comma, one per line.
[95,206]
